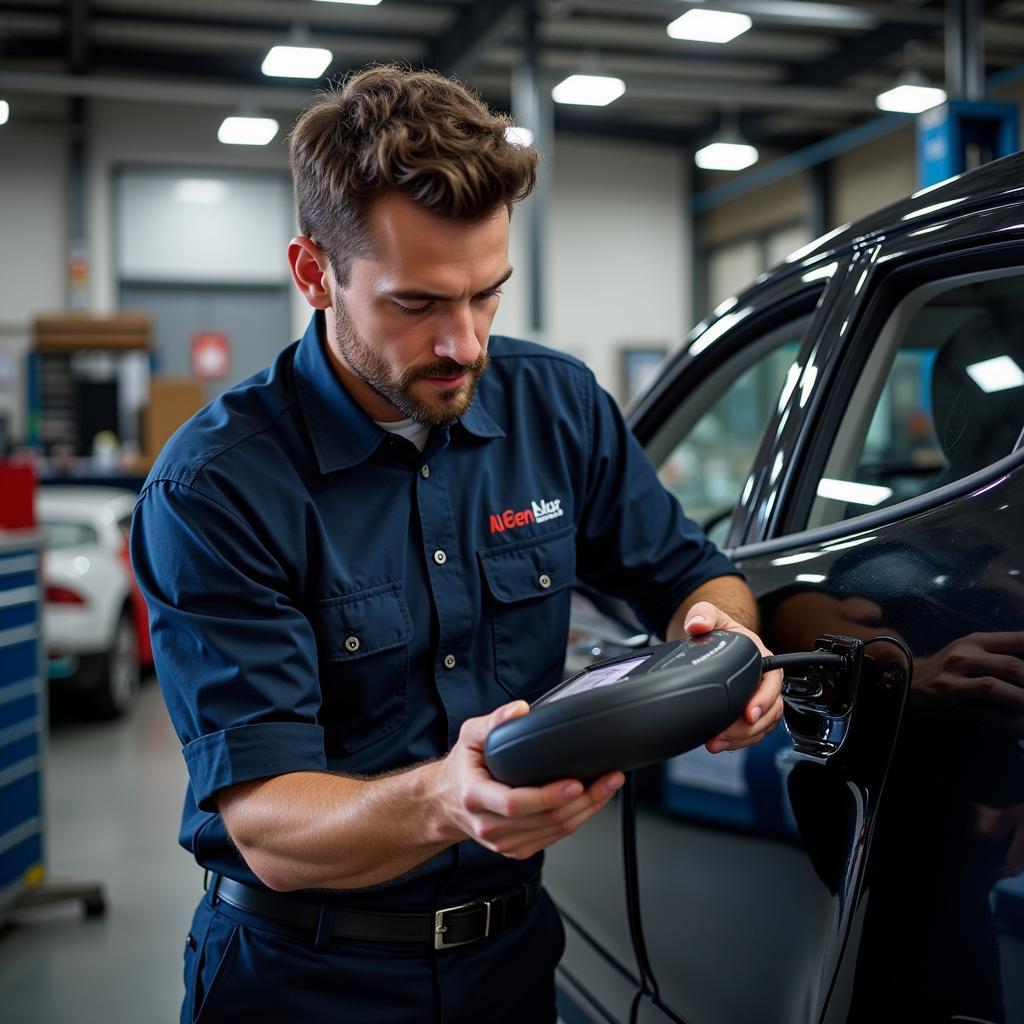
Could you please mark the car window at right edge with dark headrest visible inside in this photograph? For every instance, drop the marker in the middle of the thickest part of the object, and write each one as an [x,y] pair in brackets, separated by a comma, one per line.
[940,398]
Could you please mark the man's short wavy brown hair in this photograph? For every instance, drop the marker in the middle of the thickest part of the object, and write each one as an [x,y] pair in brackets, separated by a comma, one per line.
[390,129]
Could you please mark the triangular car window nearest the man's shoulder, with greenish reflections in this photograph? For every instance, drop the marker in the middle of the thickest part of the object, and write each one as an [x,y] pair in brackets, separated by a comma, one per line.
[705,451]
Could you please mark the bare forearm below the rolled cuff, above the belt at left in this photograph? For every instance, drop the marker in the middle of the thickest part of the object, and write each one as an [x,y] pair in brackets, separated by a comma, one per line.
[318,831]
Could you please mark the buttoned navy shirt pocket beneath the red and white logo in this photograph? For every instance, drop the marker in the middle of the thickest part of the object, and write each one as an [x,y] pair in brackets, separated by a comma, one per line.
[530,586]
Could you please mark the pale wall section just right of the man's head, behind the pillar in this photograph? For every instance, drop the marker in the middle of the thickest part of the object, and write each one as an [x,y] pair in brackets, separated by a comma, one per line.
[617,273]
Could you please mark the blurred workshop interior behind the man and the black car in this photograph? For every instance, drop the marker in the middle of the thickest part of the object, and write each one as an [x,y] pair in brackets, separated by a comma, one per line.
[143,272]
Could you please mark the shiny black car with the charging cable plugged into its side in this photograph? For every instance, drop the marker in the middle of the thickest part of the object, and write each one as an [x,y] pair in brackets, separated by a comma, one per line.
[849,430]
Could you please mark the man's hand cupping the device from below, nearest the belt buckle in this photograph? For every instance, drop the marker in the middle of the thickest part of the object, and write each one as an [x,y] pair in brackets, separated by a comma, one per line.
[515,822]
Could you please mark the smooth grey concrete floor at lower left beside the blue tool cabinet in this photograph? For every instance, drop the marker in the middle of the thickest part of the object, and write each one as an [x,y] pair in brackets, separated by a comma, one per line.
[114,800]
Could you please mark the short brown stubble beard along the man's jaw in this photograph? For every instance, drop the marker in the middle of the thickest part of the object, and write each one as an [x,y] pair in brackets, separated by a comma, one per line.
[373,370]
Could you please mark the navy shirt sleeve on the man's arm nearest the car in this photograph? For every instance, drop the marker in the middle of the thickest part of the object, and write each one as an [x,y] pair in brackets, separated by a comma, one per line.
[634,540]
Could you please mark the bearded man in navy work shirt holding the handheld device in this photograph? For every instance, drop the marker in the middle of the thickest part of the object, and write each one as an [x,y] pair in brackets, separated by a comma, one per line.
[360,562]
